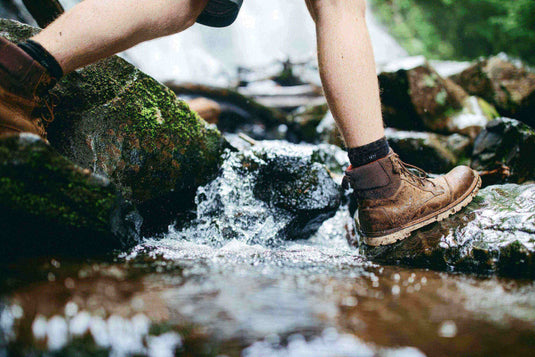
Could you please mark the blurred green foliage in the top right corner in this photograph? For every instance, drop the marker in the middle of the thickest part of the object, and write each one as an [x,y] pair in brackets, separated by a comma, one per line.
[462,29]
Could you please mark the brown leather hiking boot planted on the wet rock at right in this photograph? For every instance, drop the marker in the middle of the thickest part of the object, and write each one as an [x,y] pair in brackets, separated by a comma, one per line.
[393,201]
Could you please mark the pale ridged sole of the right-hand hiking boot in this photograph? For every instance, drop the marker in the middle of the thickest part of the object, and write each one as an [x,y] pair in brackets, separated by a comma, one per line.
[444,213]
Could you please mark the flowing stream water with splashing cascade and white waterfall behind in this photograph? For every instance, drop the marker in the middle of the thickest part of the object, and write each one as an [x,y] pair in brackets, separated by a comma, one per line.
[227,285]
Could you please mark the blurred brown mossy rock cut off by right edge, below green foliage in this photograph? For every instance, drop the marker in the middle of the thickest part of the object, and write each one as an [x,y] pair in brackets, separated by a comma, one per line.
[510,87]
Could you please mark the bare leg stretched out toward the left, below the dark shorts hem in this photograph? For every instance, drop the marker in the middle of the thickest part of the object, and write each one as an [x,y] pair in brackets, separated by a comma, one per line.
[95,29]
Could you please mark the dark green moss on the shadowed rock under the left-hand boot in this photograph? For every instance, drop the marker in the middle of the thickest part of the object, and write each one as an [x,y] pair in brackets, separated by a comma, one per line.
[38,181]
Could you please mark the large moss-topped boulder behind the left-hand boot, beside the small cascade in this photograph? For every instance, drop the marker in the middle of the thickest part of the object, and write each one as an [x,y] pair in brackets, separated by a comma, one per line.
[124,125]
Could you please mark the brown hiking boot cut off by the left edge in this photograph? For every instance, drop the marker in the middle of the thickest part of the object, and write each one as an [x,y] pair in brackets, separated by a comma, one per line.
[23,83]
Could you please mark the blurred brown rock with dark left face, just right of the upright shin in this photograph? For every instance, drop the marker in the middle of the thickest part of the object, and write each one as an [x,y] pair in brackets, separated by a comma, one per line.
[415,97]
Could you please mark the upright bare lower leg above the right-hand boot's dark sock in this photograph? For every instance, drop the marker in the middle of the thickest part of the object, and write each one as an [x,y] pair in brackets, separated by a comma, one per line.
[347,69]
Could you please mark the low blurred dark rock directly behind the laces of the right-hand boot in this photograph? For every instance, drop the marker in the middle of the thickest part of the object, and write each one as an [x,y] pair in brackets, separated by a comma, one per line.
[431,152]
